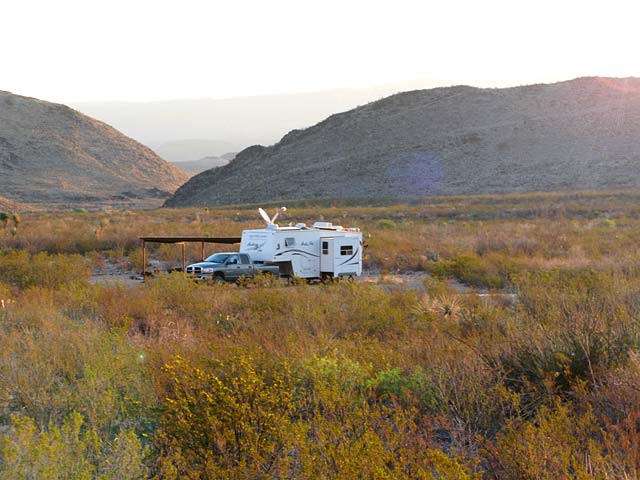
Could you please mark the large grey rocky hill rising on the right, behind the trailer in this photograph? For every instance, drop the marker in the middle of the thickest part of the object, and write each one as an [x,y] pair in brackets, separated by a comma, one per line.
[578,134]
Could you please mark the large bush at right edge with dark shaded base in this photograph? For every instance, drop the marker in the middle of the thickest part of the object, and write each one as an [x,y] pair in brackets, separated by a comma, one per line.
[570,328]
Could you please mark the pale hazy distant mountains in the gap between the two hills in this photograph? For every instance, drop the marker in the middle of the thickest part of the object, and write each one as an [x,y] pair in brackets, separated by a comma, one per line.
[234,123]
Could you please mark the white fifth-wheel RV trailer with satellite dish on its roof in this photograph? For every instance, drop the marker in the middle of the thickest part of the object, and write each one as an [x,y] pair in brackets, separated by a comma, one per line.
[319,251]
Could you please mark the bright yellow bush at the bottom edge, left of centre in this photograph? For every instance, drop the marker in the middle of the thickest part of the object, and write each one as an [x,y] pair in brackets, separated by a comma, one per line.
[226,420]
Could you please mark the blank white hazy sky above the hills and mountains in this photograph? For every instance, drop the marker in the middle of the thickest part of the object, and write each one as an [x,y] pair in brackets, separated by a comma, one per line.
[138,50]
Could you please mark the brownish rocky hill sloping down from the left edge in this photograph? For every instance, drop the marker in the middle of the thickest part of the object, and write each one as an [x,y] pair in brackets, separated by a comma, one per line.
[52,155]
